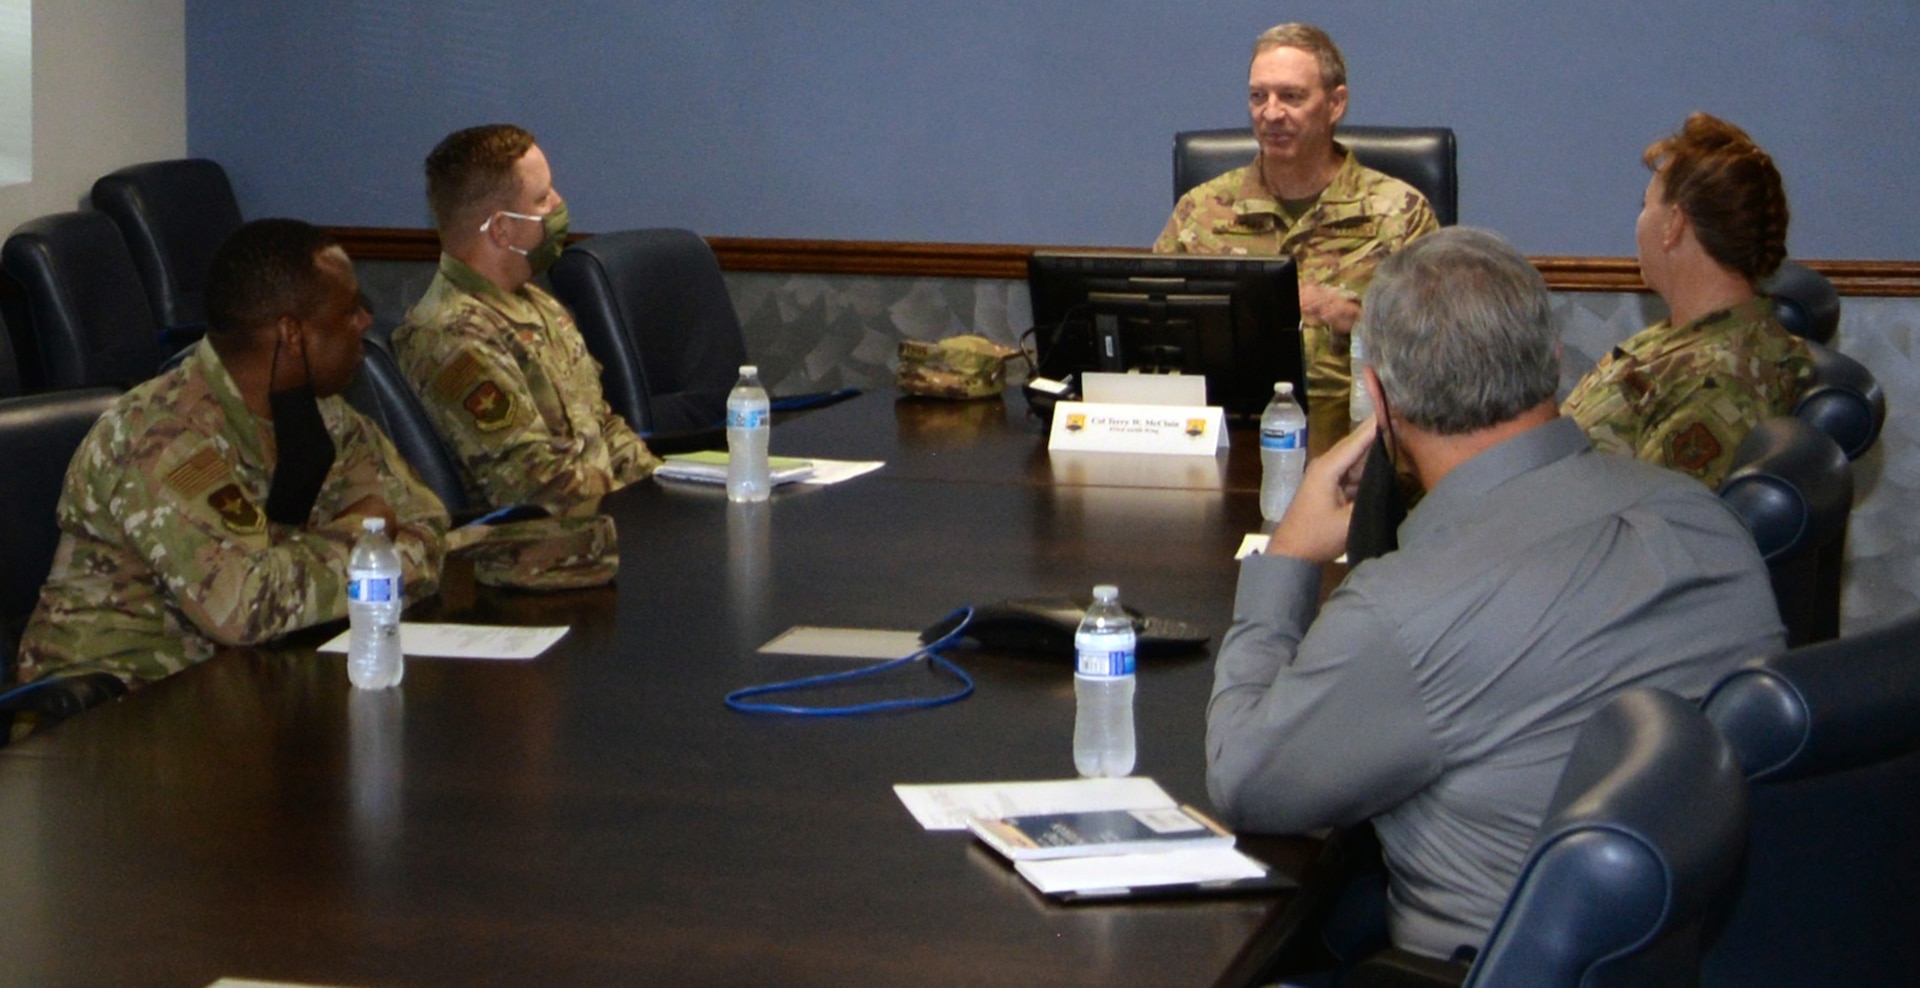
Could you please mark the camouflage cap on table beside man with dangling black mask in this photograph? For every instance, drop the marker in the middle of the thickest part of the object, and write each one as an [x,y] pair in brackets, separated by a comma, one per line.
[544,553]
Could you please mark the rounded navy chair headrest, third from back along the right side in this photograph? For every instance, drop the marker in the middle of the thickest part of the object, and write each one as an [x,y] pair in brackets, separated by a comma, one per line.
[1792,486]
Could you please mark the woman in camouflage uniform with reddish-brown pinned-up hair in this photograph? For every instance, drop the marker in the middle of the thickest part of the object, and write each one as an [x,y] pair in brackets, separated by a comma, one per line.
[1687,390]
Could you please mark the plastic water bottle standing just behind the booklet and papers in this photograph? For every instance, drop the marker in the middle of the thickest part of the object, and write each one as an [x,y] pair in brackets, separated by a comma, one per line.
[1103,688]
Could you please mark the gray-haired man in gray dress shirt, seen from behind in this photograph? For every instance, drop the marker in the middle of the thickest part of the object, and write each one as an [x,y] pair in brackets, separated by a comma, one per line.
[1441,686]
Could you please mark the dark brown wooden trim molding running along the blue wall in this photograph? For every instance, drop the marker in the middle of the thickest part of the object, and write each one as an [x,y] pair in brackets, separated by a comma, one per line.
[886,258]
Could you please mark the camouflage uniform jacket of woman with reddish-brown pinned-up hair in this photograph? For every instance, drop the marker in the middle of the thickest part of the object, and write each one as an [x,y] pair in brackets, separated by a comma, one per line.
[1685,398]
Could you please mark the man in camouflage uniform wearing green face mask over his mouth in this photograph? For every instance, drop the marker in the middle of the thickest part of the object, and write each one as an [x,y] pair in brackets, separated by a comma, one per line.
[498,362]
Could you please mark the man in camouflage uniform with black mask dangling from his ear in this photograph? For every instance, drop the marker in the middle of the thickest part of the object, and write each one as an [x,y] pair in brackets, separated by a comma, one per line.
[220,502]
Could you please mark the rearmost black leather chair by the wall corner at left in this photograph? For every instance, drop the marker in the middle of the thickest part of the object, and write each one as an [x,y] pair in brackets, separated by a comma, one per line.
[174,216]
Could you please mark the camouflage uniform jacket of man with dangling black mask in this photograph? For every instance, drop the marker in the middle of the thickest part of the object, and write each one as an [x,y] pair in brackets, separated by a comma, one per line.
[166,552]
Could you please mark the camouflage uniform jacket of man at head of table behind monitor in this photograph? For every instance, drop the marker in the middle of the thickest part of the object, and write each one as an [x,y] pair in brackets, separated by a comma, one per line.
[1358,220]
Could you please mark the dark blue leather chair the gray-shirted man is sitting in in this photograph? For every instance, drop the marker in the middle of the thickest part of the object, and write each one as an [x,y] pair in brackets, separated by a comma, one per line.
[1641,845]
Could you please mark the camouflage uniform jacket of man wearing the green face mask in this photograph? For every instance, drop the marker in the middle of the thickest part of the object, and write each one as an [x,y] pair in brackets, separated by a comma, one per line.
[512,385]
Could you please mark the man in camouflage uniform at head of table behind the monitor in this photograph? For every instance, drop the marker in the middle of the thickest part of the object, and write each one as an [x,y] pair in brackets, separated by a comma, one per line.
[1305,197]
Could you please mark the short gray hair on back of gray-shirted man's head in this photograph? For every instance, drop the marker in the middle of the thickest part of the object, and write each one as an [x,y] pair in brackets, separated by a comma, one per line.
[1460,331]
